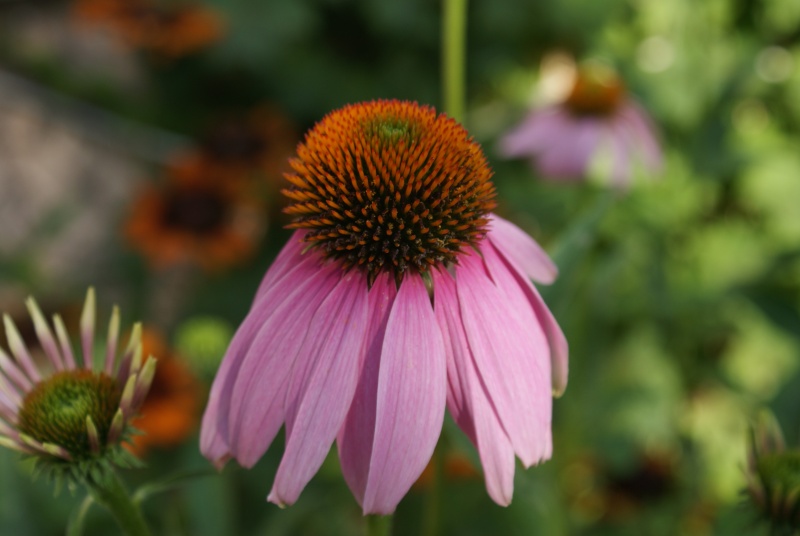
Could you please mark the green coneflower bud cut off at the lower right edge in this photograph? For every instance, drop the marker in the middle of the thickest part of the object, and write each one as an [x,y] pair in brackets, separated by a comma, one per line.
[773,477]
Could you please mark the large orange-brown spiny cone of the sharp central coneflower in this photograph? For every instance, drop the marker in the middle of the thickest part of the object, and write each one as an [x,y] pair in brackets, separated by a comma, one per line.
[390,186]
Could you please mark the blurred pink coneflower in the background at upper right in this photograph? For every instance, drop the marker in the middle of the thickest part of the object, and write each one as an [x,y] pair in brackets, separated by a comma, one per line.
[597,123]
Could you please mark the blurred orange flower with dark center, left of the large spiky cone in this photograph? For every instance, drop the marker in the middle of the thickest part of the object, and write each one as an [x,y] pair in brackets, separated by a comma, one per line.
[198,215]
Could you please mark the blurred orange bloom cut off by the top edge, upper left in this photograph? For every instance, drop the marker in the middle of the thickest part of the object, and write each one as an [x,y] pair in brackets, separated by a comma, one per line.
[169,29]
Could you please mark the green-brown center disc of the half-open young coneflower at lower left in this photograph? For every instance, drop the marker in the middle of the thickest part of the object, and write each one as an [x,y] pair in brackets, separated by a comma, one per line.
[55,410]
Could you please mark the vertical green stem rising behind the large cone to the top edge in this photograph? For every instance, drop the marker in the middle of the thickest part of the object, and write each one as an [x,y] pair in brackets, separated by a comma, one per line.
[454,29]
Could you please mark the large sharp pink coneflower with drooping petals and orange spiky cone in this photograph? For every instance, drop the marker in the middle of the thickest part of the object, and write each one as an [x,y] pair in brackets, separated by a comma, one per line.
[399,293]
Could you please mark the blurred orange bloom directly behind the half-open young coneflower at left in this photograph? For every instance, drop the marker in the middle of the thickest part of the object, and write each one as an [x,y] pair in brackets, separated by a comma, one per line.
[171,411]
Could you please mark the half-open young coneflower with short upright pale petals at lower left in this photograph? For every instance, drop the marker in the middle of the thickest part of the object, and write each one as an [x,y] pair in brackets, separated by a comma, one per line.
[70,413]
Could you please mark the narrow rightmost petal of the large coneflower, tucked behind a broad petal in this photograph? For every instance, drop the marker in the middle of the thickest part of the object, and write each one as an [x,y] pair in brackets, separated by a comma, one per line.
[559,349]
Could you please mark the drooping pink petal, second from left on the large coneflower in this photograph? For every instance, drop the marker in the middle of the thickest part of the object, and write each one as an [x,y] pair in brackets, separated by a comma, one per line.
[256,410]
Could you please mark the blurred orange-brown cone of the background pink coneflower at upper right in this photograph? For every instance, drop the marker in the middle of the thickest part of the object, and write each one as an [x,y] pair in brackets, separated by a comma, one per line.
[597,91]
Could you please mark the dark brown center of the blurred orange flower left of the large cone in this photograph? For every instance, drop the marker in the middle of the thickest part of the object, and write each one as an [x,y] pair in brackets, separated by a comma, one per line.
[198,211]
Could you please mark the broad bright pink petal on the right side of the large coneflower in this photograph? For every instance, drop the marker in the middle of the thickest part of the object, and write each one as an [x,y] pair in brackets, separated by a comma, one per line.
[510,351]
